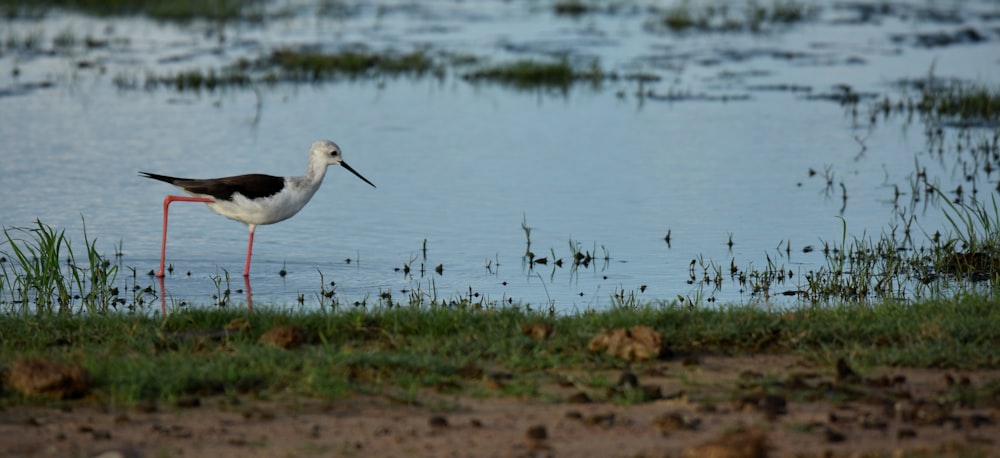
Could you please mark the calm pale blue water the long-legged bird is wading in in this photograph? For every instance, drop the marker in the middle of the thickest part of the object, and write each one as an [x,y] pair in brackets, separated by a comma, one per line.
[460,166]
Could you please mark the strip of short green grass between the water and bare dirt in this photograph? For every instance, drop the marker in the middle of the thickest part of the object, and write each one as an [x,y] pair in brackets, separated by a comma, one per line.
[397,351]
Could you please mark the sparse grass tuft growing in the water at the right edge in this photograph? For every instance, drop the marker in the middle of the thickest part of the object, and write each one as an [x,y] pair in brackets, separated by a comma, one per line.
[875,269]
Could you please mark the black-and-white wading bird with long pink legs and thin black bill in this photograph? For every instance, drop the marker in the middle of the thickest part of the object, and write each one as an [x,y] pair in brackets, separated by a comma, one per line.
[255,199]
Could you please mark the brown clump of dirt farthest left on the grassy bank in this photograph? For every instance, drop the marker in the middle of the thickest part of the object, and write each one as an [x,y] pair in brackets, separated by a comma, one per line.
[49,379]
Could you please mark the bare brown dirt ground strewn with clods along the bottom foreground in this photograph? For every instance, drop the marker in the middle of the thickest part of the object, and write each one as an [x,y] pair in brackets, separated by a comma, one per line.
[712,406]
